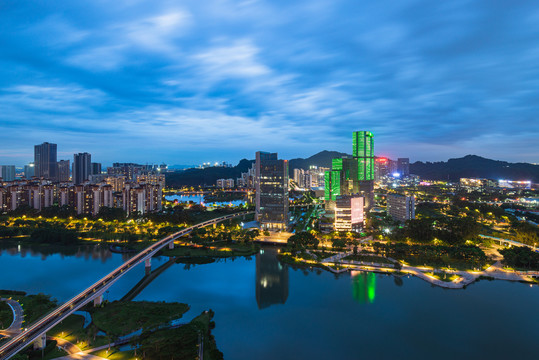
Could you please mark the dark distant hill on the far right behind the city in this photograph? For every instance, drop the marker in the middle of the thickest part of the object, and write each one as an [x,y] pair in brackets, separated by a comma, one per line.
[475,166]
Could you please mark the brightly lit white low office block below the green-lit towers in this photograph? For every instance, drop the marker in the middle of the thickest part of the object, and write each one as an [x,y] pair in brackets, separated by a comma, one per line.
[349,213]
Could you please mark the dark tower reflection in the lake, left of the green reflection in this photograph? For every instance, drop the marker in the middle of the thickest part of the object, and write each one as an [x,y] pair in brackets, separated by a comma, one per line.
[271,279]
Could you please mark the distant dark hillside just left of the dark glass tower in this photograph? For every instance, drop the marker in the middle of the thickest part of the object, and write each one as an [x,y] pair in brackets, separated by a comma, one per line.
[208,176]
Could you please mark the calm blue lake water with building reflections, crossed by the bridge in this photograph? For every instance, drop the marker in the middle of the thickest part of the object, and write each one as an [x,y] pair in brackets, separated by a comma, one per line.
[267,310]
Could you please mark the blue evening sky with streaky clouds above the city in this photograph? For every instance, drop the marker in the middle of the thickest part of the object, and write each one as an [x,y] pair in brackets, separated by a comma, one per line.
[185,82]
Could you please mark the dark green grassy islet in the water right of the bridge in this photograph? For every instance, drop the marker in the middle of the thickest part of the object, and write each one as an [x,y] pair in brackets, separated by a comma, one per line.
[121,318]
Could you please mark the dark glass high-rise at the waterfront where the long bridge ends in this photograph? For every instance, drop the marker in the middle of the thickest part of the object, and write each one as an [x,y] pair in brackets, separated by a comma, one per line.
[271,182]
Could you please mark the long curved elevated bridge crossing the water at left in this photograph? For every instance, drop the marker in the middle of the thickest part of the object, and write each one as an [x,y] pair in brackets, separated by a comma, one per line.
[37,331]
